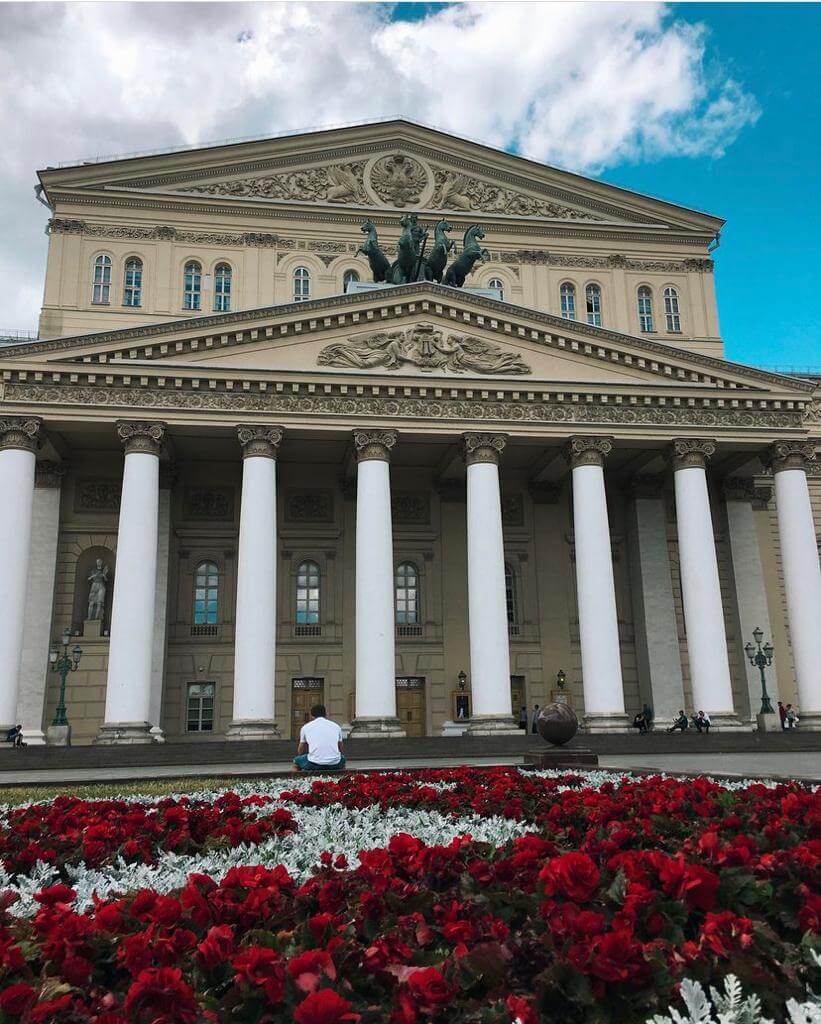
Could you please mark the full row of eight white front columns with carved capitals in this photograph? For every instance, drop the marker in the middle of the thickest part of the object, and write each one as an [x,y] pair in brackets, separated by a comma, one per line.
[128,699]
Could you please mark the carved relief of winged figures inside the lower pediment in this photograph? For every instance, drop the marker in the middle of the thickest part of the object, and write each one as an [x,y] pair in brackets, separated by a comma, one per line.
[423,348]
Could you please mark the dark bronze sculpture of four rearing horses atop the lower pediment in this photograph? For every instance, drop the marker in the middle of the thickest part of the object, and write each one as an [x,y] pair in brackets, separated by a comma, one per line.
[414,264]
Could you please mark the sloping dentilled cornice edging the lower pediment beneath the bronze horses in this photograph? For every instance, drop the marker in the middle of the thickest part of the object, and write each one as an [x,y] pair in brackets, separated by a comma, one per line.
[353,312]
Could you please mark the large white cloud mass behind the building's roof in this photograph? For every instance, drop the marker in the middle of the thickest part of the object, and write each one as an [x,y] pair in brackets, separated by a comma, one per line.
[585,87]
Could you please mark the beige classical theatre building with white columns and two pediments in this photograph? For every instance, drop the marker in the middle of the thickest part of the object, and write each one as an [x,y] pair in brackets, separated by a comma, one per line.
[246,478]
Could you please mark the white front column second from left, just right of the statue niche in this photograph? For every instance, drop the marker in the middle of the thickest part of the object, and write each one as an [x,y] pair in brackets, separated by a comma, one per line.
[129,682]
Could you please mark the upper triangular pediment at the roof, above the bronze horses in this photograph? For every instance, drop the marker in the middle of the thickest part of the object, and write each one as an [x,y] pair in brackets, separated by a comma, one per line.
[392,166]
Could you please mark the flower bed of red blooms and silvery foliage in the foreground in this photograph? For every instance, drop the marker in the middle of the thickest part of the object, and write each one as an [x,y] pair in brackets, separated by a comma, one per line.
[481,895]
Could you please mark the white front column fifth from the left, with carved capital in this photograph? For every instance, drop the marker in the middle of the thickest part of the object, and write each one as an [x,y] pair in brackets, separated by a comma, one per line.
[488,614]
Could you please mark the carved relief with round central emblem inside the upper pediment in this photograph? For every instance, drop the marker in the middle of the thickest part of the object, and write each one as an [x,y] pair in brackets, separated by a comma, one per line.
[398,181]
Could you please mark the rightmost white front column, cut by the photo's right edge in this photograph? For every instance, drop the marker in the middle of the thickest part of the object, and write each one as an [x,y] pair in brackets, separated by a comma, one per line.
[801,570]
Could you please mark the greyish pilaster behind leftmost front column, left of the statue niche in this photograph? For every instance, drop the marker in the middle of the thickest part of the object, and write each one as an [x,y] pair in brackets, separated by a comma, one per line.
[40,603]
